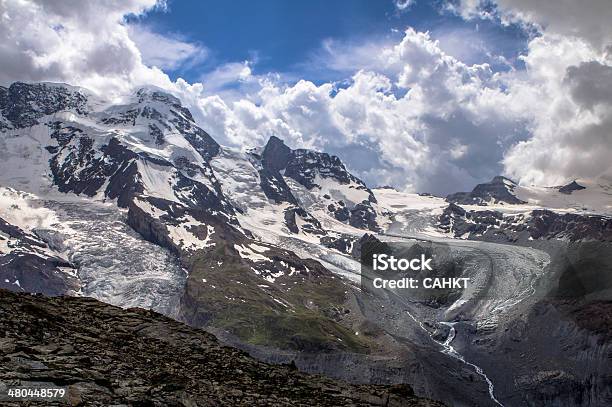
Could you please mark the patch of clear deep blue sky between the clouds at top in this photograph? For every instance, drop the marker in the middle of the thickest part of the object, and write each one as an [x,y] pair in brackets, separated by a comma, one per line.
[287,36]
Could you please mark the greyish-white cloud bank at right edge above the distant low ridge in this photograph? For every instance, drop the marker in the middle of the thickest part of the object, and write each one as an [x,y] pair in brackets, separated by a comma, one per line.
[571,113]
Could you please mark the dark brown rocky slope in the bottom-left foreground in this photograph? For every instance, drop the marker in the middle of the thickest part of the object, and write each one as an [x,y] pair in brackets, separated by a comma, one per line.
[108,355]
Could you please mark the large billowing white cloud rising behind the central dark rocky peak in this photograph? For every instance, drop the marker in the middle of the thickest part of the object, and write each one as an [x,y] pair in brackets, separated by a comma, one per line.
[420,118]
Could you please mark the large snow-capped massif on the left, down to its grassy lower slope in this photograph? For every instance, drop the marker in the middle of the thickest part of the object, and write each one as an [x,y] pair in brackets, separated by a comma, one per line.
[223,213]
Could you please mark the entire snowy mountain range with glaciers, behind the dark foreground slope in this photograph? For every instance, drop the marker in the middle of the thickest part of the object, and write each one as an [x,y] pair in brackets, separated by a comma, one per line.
[134,204]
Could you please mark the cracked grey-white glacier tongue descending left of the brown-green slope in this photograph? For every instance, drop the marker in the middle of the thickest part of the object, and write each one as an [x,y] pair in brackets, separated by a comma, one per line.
[114,263]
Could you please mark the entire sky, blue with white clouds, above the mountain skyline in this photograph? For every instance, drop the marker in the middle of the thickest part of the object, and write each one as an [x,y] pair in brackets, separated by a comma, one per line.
[429,96]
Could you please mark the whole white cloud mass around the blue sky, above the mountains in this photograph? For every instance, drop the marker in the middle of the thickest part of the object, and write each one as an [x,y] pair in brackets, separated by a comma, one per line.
[409,113]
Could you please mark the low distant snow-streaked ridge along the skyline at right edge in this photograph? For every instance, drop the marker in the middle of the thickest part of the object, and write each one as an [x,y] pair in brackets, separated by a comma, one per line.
[513,212]
